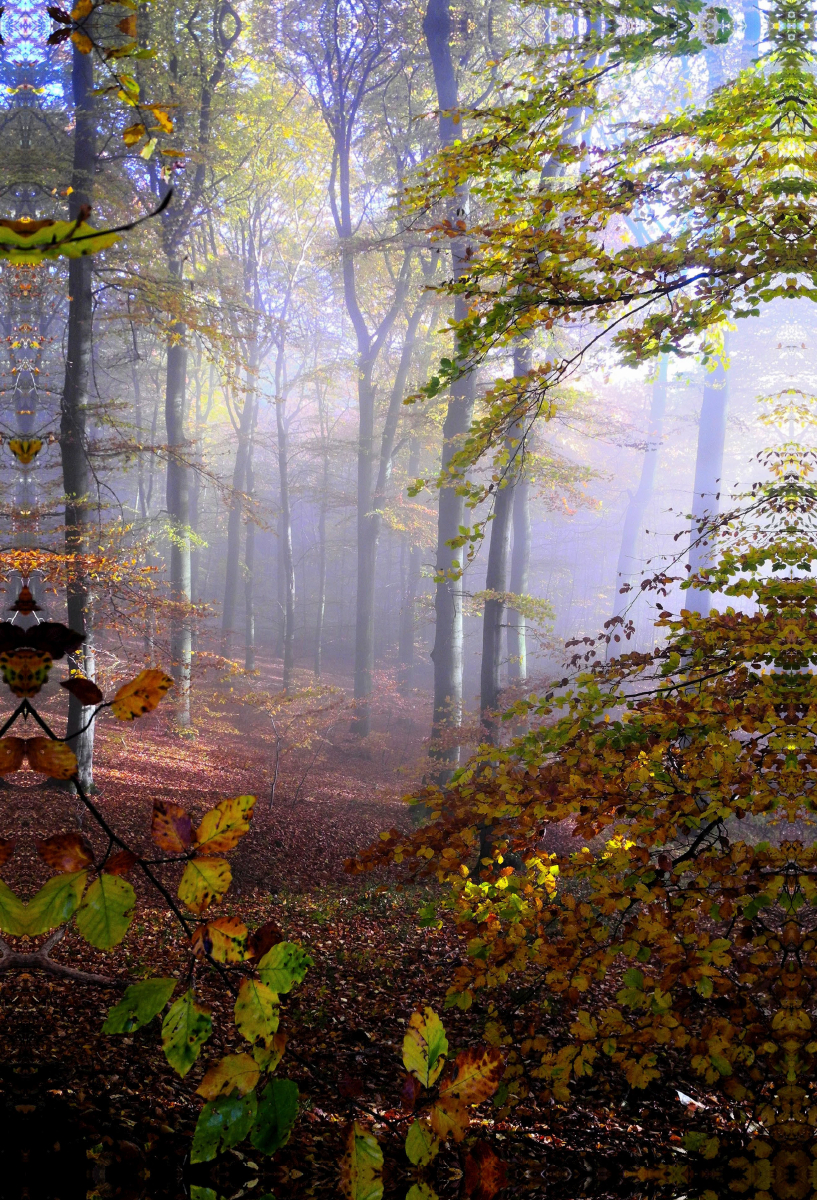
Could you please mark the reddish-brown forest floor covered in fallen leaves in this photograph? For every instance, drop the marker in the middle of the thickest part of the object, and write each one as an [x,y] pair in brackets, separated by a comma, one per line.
[81,1107]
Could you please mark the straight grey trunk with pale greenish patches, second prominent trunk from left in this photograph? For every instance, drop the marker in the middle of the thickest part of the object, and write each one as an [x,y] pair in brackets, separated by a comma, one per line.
[178,508]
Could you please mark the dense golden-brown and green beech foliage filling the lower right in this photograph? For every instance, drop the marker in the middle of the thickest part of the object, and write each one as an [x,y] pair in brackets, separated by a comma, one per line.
[668,907]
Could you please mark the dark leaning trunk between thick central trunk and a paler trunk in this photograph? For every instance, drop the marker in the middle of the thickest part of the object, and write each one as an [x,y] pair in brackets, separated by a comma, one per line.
[494,620]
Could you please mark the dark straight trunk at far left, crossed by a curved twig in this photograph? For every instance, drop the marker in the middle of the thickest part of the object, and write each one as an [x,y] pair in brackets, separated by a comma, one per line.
[74,417]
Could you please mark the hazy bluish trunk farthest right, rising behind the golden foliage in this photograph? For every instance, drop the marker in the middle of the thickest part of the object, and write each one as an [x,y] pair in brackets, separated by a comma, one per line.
[708,472]
